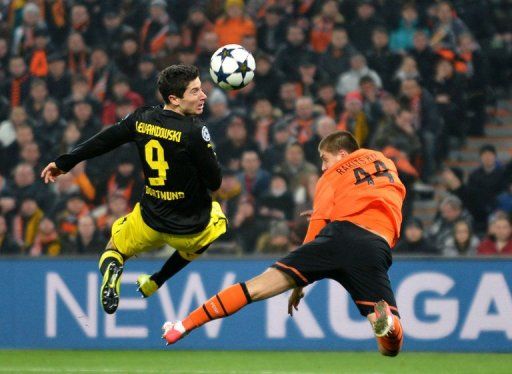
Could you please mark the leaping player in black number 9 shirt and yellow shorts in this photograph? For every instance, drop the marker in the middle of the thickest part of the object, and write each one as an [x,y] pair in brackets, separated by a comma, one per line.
[180,171]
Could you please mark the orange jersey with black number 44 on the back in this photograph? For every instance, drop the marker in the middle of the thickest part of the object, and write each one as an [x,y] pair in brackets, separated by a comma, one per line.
[364,189]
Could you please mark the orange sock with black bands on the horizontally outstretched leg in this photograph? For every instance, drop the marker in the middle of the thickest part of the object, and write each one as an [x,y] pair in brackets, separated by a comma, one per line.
[225,303]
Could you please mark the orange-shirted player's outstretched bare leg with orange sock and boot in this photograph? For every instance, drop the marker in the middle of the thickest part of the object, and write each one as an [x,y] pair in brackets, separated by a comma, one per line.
[228,301]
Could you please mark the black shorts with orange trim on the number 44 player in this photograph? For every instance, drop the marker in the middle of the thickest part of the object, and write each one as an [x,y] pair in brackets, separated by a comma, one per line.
[356,258]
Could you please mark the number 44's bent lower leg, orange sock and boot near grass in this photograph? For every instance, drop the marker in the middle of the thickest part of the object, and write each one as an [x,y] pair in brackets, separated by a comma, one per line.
[388,330]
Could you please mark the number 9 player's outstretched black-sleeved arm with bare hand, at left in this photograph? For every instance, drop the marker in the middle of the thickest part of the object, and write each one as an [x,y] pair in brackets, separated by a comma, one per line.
[99,144]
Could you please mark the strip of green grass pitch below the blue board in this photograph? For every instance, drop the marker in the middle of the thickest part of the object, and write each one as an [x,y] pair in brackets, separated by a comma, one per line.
[224,362]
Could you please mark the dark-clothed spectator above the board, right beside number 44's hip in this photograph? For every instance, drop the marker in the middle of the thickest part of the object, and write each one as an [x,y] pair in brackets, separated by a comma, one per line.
[414,240]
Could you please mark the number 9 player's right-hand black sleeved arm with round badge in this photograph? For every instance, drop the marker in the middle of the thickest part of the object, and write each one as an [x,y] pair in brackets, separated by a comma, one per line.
[205,159]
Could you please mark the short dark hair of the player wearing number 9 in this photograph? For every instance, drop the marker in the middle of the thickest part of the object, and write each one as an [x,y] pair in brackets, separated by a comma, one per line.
[174,79]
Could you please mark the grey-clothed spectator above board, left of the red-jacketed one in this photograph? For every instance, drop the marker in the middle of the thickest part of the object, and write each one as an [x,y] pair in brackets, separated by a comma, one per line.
[463,241]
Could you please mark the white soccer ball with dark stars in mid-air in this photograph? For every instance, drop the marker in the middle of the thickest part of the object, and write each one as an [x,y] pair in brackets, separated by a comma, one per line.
[232,67]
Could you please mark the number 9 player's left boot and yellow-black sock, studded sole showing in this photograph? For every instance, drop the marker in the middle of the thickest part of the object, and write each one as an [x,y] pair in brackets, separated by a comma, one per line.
[111,266]
